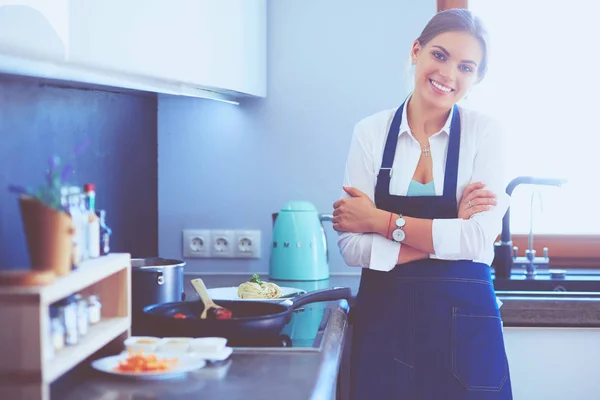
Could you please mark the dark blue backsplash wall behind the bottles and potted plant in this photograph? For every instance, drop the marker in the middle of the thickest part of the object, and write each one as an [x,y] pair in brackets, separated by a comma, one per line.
[38,120]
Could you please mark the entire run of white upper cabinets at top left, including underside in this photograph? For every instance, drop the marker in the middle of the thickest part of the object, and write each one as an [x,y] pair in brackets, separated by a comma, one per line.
[157,45]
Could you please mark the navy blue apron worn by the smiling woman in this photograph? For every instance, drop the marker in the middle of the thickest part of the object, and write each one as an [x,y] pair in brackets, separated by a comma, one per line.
[429,329]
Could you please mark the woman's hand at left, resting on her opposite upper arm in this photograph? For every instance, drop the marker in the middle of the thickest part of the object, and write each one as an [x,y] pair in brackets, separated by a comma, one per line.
[356,213]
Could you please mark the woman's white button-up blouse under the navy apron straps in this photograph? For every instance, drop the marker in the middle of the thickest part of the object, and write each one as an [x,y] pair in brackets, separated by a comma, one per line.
[482,159]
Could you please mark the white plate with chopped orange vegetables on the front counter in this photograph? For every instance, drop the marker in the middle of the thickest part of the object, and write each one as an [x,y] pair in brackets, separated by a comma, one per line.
[186,363]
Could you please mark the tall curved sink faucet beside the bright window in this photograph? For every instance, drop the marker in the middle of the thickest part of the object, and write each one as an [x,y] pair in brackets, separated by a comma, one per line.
[505,255]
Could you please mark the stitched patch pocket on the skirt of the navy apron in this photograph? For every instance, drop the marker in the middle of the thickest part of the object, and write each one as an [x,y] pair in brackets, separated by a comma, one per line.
[478,356]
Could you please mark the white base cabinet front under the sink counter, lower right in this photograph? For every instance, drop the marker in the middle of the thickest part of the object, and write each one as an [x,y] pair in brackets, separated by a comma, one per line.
[554,363]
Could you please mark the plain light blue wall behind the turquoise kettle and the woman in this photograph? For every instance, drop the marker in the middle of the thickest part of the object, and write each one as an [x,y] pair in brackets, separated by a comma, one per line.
[330,63]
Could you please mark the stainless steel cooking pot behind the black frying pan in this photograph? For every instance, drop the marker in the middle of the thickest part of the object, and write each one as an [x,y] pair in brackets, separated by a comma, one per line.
[154,281]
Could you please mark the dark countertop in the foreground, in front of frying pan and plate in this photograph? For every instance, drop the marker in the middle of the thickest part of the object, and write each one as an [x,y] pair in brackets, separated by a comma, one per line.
[250,373]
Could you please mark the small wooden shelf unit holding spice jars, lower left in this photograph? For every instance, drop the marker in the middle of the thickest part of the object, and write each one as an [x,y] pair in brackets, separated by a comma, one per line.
[26,370]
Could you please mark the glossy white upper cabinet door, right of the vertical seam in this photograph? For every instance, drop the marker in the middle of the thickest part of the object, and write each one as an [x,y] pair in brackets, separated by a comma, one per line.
[212,44]
